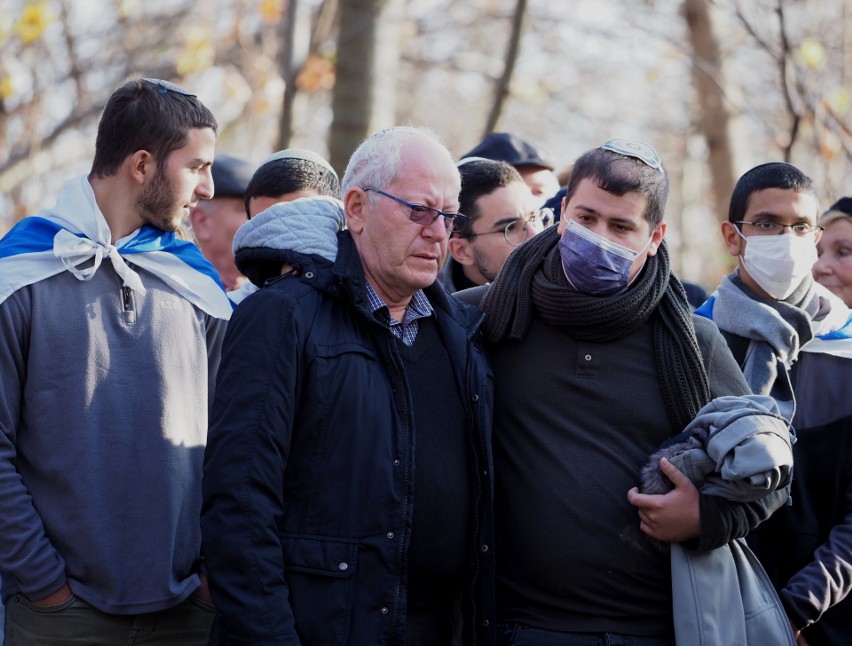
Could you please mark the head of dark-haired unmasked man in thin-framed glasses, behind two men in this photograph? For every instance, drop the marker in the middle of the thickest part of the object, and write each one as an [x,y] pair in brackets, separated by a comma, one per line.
[498,204]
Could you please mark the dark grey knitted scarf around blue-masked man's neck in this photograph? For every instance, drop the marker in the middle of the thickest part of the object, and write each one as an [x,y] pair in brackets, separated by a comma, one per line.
[532,280]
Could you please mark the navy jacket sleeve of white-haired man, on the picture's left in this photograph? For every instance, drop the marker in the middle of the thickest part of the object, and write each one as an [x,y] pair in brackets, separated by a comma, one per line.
[247,451]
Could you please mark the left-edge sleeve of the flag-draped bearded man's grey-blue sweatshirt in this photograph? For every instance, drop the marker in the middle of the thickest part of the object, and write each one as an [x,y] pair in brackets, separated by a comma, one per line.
[28,559]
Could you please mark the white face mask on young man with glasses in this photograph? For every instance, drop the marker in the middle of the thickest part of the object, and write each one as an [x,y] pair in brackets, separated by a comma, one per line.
[779,264]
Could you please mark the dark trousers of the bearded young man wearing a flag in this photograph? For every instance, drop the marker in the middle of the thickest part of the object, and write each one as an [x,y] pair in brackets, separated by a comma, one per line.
[75,623]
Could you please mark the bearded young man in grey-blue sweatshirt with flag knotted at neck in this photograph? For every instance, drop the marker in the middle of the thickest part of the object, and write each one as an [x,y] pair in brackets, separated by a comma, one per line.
[110,335]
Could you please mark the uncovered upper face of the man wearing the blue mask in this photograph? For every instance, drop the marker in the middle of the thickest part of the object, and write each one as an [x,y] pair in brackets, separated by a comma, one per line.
[618,218]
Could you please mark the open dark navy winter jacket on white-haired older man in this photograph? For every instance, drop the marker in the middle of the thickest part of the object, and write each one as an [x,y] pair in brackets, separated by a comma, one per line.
[308,473]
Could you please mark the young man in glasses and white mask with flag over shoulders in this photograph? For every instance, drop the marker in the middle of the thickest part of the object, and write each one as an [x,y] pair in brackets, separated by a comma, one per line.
[791,337]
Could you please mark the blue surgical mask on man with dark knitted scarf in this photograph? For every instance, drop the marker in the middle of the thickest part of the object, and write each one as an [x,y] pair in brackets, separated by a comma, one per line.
[593,264]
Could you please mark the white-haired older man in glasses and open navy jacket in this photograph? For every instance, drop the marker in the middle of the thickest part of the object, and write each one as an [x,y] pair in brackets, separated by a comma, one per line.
[347,492]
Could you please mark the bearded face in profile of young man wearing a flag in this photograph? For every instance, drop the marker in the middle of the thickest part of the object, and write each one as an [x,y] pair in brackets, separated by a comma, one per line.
[179,182]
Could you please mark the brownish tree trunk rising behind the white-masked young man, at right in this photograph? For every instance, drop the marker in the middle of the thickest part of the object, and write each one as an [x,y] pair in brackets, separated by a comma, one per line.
[709,86]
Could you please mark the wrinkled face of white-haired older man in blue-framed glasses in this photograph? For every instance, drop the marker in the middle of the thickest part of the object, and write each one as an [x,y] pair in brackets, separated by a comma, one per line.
[398,255]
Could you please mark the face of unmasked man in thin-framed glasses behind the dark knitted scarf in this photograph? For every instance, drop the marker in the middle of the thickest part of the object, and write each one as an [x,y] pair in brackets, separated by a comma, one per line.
[484,253]
